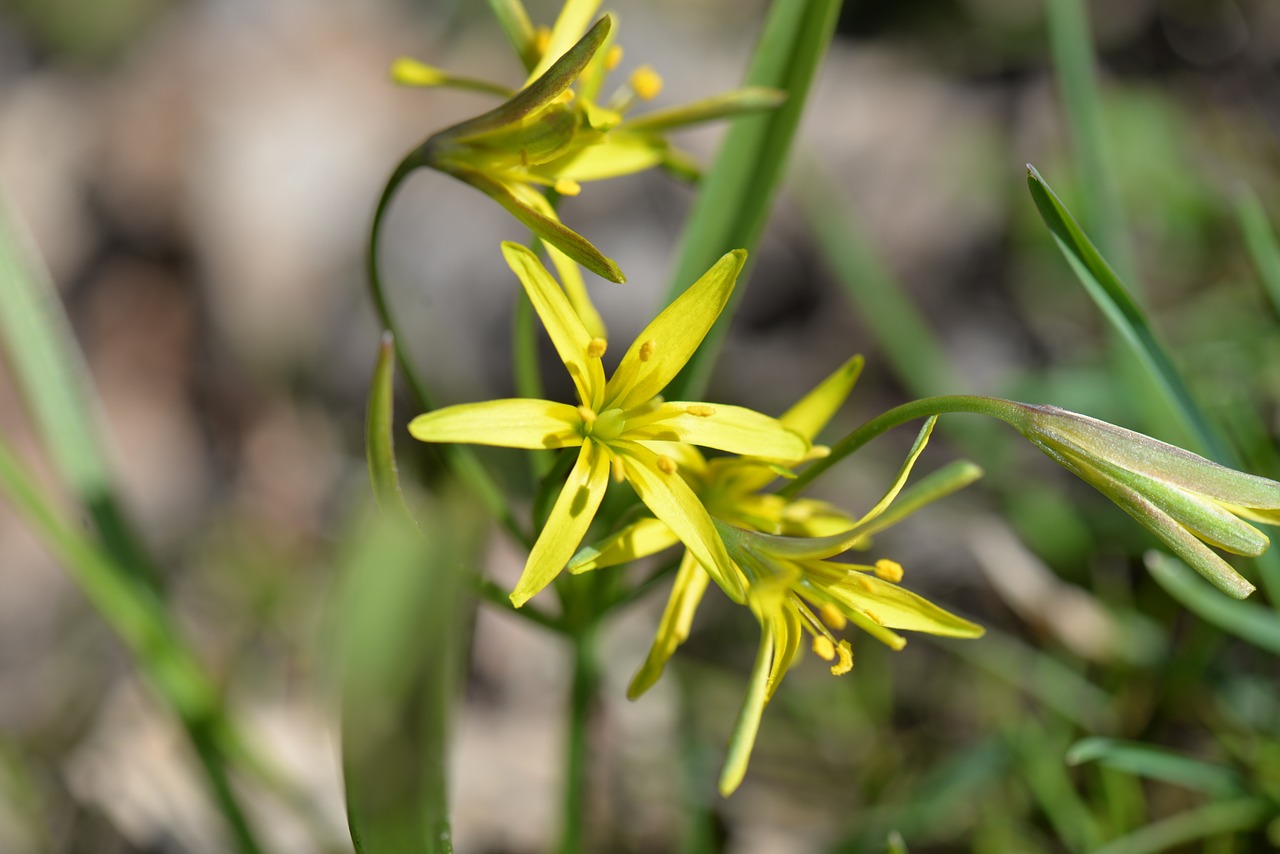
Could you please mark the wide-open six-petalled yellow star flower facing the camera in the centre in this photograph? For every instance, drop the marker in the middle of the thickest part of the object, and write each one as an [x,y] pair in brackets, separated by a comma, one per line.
[616,421]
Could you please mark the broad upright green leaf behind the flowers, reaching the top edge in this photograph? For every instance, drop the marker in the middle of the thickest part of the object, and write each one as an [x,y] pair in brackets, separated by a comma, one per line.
[734,202]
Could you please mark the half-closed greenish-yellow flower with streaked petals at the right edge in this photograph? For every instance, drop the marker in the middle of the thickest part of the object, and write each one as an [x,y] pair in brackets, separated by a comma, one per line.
[1185,500]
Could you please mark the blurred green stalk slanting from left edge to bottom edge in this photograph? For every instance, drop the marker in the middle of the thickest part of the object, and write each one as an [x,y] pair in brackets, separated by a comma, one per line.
[139,619]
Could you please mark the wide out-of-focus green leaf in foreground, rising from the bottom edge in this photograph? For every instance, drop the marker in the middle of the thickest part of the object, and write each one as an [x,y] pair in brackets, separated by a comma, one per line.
[401,632]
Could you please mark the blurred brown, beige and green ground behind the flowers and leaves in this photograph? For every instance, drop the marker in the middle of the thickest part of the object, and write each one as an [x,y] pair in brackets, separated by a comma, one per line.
[199,177]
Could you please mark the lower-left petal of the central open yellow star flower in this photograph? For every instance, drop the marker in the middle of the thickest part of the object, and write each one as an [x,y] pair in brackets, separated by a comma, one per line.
[568,524]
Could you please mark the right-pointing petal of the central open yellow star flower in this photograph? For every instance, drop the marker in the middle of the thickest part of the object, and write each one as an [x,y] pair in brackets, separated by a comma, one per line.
[726,428]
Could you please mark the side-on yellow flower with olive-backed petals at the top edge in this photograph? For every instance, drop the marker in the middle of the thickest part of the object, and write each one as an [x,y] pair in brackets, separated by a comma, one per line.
[556,134]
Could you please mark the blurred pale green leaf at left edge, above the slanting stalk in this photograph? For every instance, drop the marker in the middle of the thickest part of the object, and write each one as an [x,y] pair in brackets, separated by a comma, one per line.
[42,353]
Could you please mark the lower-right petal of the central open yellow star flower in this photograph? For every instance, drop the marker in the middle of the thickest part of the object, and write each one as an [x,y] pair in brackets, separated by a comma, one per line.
[671,500]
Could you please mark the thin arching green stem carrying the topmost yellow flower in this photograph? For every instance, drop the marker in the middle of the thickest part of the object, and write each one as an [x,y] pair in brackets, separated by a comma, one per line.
[461,460]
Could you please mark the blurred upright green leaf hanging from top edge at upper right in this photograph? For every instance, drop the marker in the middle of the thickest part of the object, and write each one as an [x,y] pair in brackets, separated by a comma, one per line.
[1077,79]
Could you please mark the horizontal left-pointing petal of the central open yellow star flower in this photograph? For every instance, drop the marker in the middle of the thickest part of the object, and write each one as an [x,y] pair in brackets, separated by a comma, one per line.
[514,423]
